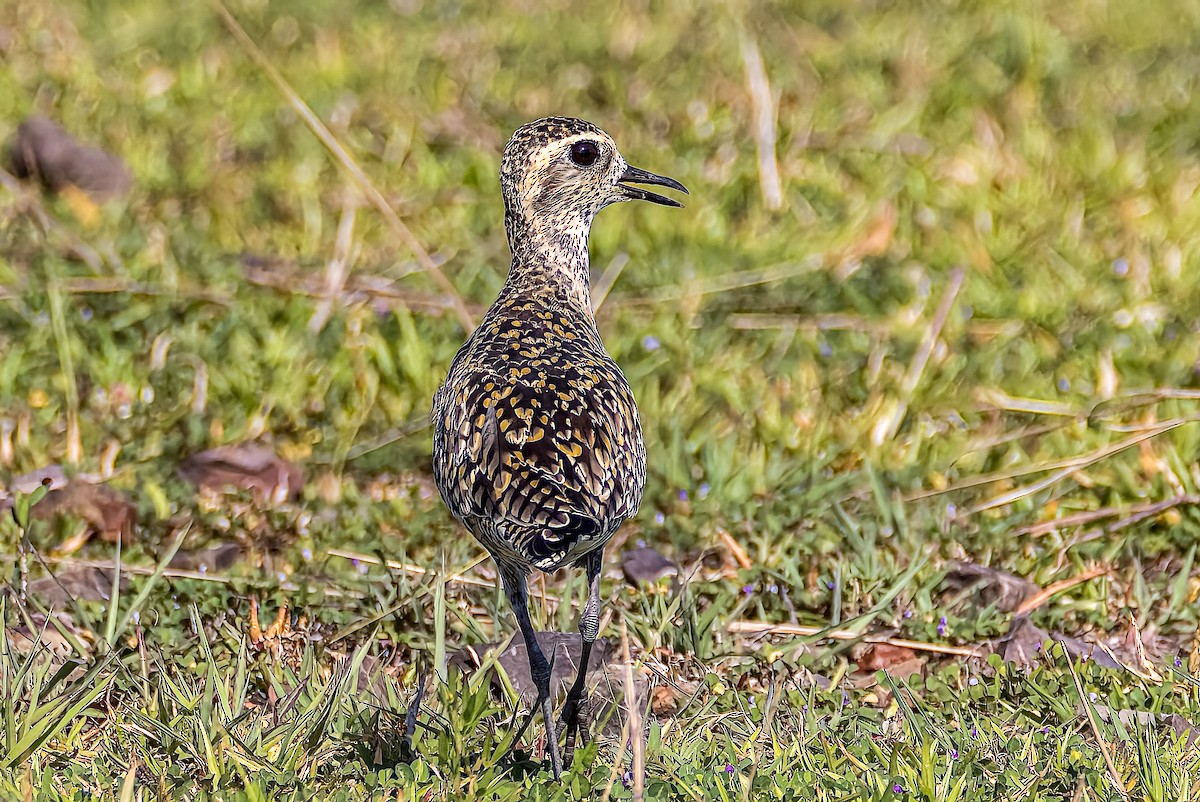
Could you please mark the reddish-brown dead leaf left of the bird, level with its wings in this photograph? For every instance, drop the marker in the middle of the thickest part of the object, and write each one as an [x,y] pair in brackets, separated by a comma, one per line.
[244,468]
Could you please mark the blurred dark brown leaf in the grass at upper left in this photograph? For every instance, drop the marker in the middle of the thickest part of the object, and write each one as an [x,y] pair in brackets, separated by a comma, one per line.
[45,152]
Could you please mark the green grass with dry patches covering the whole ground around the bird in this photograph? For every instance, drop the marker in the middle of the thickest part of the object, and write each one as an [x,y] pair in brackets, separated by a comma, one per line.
[967,333]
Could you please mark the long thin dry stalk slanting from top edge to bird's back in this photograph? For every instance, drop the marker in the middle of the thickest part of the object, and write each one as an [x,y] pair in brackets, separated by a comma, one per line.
[349,164]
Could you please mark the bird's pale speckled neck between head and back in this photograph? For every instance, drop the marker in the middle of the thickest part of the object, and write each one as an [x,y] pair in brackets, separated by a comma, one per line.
[550,259]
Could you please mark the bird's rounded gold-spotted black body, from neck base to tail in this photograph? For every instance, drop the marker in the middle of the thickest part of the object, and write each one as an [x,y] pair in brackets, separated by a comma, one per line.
[537,447]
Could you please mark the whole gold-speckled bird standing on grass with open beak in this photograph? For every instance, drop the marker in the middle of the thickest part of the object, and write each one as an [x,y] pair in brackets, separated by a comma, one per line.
[538,445]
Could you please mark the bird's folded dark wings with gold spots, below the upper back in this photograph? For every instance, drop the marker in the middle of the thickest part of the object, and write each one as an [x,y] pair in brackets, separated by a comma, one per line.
[550,463]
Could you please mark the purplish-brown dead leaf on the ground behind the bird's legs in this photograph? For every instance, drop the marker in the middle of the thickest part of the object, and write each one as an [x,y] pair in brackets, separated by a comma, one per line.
[605,678]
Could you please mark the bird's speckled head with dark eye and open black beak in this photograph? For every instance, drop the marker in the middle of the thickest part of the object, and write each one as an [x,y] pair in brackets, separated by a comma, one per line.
[563,171]
